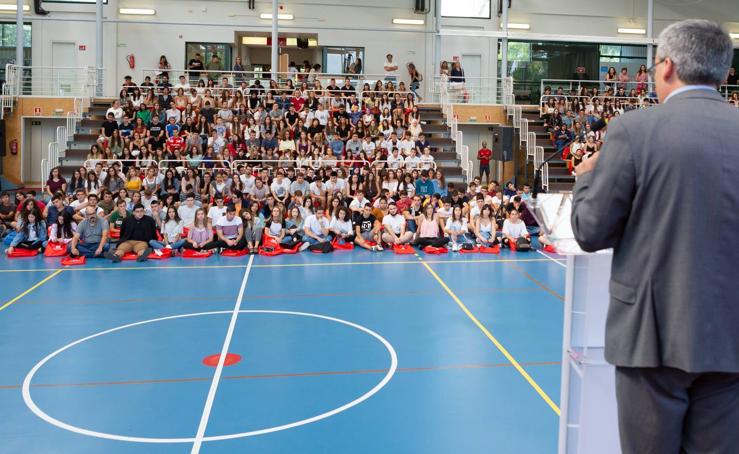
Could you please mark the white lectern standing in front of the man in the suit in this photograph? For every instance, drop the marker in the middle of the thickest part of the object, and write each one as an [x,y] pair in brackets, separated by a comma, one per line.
[588,416]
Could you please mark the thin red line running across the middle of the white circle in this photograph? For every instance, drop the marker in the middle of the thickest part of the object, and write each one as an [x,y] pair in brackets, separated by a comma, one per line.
[284,375]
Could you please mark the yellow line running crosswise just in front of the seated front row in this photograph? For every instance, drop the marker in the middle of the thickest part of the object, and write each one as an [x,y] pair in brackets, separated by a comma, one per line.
[275,265]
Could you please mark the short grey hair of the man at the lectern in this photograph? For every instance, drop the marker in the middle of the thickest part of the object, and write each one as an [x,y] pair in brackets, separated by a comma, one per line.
[701,51]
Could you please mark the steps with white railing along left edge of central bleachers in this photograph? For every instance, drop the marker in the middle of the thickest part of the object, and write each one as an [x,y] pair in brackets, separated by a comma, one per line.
[85,136]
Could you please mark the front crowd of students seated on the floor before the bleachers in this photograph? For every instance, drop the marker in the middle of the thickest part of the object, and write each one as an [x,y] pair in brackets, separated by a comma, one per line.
[110,224]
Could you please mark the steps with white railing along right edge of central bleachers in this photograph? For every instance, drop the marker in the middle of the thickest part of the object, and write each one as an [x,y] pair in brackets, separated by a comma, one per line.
[442,145]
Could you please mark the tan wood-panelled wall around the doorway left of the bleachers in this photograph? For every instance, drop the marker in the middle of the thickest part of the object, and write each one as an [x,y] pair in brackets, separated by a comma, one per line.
[25,107]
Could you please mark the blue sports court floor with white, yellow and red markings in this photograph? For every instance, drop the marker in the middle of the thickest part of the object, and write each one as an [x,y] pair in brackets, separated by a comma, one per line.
[350,352]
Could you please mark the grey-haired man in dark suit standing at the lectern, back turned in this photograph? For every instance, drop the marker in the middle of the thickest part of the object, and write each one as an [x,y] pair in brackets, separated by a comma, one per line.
[662,193]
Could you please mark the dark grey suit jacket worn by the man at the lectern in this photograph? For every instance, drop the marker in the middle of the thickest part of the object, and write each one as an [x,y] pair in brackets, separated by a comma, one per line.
[664,196]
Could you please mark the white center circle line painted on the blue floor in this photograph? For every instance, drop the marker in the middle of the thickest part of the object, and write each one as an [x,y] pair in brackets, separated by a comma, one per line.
[28,400]
